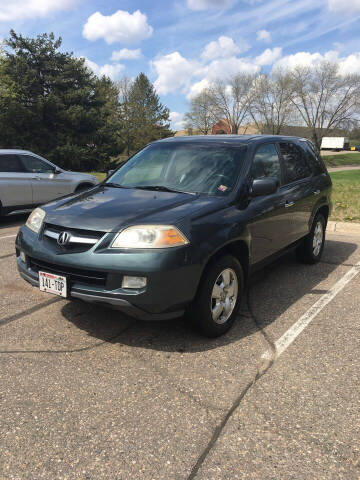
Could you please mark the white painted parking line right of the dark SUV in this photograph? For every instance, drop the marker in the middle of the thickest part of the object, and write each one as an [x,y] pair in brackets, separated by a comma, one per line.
[294,331]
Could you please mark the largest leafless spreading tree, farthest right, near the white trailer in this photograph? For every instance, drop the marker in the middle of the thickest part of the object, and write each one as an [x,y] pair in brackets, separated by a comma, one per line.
[324,98]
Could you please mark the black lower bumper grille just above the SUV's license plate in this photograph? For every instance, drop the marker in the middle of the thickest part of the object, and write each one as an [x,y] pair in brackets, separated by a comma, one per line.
[86,277]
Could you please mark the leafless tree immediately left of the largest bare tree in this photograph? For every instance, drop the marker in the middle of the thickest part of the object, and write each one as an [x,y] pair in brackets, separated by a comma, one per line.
[271,104]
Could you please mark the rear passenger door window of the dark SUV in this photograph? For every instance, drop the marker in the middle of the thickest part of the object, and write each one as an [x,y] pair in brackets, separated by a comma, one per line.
[296,166]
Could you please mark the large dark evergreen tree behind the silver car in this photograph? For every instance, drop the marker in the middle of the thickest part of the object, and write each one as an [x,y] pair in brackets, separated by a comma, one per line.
[52,104]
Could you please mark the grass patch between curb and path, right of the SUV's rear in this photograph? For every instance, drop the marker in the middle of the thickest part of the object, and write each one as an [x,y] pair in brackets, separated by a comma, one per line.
[346,196]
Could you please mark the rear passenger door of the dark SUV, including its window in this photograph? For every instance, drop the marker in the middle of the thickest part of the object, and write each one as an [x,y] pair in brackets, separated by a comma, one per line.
[298,190]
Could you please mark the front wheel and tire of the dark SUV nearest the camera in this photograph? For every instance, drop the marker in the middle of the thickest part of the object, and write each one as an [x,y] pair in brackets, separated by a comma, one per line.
[227,274]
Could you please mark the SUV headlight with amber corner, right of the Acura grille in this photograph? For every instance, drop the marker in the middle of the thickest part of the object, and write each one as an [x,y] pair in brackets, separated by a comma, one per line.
[149,236]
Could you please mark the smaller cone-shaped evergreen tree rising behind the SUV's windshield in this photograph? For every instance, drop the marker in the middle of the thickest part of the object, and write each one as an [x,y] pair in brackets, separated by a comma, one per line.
[147,118]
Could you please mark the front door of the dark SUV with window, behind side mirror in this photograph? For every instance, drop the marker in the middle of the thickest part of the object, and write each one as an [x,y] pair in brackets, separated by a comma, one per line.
[269,226]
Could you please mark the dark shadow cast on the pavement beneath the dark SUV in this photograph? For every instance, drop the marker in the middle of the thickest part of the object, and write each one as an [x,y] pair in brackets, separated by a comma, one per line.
[272,291]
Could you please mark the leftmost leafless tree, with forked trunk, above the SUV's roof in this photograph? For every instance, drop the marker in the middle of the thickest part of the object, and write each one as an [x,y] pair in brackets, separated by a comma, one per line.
[231,99]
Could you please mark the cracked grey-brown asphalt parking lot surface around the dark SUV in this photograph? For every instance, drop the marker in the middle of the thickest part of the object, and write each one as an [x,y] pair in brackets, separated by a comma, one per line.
[87,393]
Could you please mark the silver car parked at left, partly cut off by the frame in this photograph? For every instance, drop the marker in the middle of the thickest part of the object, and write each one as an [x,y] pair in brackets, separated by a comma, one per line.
[28,180]
